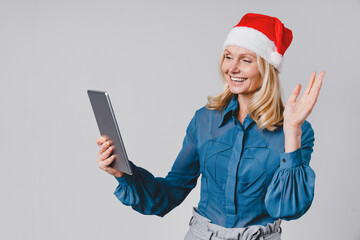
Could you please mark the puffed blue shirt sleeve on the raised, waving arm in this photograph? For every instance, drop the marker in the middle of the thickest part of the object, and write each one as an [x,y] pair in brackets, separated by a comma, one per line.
[291,190]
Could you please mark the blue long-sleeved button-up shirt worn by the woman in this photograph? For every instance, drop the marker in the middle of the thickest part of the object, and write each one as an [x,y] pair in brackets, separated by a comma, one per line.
[246,177]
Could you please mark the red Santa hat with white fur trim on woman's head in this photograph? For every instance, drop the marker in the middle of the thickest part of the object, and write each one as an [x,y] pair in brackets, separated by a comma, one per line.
[264,35]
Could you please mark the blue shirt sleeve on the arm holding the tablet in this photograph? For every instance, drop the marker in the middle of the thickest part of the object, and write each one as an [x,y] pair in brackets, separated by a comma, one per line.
[158,196]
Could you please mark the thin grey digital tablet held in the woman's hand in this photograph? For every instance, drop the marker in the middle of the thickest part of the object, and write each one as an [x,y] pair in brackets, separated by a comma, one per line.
[105,118]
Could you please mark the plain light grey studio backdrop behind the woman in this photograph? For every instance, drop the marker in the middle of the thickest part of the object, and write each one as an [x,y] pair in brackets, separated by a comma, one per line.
[159,61]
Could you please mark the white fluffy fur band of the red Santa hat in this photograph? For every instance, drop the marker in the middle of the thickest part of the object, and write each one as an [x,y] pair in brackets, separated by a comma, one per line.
[256,42]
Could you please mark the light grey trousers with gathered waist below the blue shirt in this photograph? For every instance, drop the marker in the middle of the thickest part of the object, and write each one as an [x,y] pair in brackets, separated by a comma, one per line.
[201,228]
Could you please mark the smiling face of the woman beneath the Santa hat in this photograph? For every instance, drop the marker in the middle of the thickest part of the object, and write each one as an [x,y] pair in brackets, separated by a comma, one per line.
[241,71]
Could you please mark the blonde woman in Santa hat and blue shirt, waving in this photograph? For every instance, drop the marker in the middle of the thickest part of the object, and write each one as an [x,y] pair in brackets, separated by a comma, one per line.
[252,153]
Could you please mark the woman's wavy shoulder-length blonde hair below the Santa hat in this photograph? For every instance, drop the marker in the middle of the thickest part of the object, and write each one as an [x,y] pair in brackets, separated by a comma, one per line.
[266,107]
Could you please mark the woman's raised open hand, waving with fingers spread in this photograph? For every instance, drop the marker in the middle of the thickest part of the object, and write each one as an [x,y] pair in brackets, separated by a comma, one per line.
[297,110]
